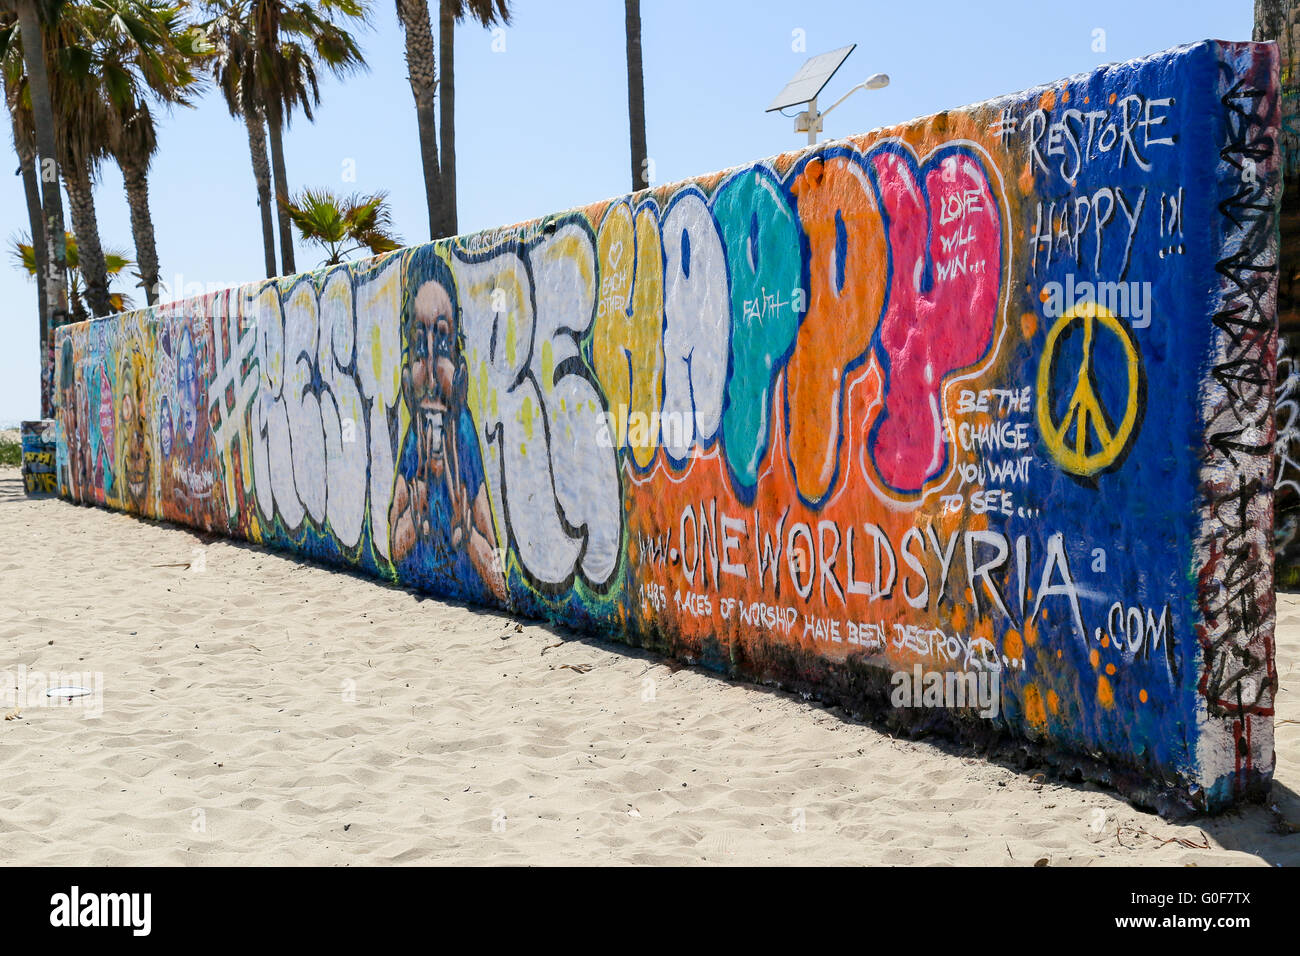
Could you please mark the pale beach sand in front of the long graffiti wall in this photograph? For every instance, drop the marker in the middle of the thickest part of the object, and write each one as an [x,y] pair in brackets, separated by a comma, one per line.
[262,711]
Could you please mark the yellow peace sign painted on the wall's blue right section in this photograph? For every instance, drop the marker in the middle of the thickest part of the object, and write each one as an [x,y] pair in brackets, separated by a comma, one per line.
[1095,447]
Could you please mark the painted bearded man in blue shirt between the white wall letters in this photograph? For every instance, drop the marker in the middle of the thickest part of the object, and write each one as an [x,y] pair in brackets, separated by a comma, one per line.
[441,520]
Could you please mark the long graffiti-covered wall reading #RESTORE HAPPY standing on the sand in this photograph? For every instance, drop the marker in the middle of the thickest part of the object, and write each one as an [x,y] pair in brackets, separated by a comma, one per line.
[964,422]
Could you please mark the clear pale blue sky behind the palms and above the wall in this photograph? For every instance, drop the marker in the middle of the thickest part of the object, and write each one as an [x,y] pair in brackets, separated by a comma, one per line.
[543,124]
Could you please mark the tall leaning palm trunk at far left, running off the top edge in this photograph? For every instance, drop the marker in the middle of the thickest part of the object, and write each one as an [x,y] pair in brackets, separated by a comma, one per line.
[51,202]
